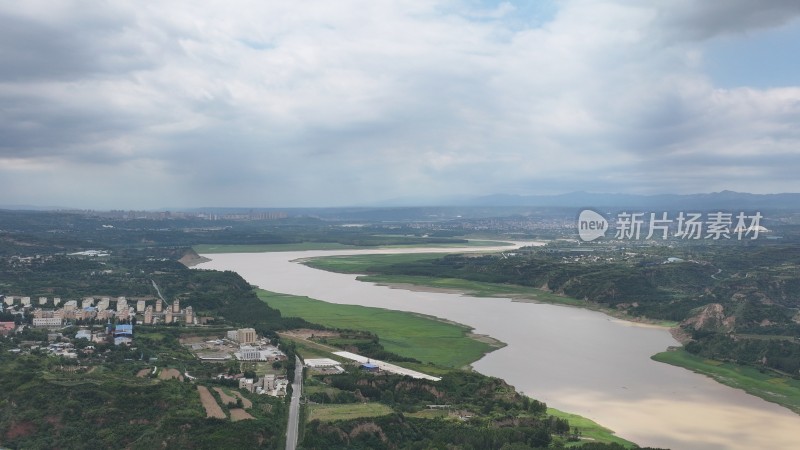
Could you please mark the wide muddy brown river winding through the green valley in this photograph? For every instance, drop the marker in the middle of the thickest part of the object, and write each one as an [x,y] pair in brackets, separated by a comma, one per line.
[576,360]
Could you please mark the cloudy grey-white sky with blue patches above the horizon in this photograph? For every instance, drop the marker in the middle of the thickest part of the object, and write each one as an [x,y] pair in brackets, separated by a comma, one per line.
[139,104]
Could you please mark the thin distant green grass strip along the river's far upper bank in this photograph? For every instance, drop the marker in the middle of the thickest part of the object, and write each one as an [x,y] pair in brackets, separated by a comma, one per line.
[301,246]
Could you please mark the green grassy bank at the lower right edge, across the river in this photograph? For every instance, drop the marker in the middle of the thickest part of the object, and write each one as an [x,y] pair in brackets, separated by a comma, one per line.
[772,388]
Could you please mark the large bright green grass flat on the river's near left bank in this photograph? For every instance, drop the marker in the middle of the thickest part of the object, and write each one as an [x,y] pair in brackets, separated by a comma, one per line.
[406,334]
